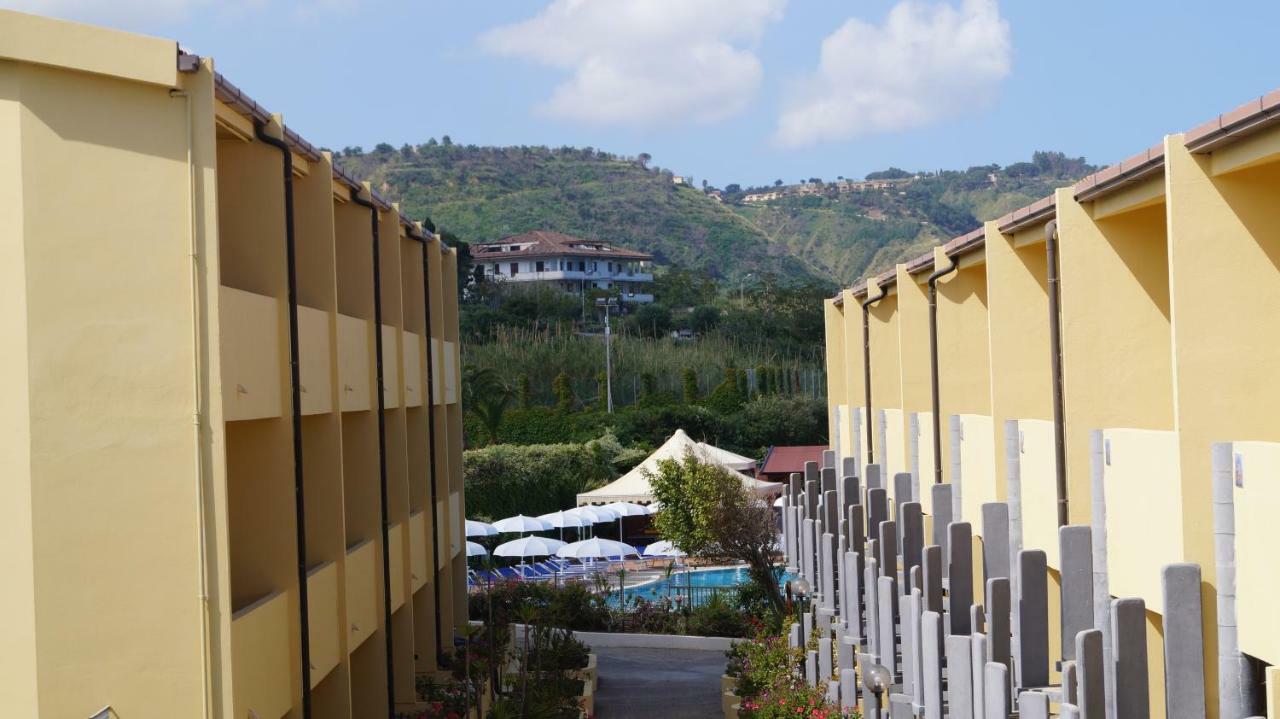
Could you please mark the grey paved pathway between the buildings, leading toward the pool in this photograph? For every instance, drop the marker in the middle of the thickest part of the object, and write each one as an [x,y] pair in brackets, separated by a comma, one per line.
[659,684]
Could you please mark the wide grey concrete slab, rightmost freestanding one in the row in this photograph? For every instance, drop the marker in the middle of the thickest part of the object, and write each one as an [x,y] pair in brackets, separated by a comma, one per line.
[1185,643]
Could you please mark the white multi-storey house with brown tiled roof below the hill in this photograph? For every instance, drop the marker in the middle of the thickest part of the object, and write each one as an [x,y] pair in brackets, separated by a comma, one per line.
[569,263]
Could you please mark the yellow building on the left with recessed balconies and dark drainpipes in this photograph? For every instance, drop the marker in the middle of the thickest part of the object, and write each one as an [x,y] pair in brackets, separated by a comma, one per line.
[231,397]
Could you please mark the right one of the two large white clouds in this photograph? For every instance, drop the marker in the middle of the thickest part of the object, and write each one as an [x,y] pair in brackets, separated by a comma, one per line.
[929,62]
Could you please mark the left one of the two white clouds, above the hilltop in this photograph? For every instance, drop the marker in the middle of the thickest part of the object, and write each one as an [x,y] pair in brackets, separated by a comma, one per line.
[644,62]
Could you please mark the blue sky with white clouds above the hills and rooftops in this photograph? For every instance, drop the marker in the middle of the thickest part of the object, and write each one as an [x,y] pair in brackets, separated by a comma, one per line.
[733,91]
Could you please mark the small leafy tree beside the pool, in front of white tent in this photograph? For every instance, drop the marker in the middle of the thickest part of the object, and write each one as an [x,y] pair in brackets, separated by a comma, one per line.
[708,514]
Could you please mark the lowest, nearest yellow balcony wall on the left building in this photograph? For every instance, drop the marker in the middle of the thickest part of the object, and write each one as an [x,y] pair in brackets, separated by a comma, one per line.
[262,672]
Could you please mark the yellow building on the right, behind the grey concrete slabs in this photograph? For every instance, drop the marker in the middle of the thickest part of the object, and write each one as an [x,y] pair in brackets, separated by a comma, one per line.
[1168,276]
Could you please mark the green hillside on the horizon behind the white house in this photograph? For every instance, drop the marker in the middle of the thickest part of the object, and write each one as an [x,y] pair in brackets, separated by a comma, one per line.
[833,232]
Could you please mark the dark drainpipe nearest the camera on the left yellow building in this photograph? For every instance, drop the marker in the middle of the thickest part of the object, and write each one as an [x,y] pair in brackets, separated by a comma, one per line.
[300,515]
